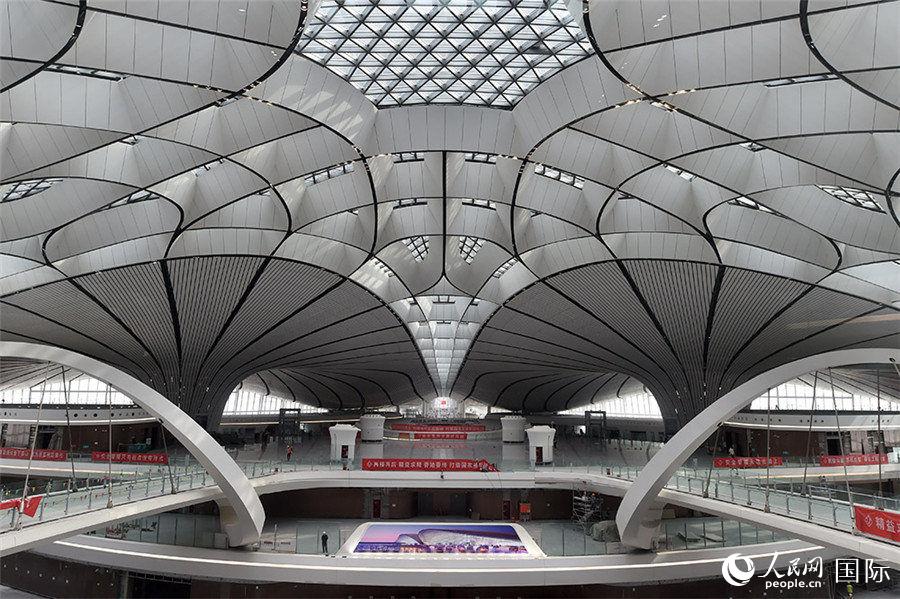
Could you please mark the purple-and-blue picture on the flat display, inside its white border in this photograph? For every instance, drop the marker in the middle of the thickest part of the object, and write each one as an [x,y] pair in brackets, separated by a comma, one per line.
[469,539]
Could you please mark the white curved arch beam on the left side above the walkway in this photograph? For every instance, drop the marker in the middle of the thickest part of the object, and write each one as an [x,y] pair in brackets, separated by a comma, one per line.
[243,517]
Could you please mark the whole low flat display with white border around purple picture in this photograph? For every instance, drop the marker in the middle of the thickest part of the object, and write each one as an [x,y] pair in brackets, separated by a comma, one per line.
[441,539]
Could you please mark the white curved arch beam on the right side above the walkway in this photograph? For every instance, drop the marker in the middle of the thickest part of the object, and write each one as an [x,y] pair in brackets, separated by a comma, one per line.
[639,513]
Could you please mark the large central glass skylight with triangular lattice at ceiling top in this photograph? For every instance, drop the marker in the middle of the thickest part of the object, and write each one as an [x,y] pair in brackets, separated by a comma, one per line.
[487,52]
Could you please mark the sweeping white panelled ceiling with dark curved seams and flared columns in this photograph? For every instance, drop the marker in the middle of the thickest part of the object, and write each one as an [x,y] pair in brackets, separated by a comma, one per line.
[710,193]
